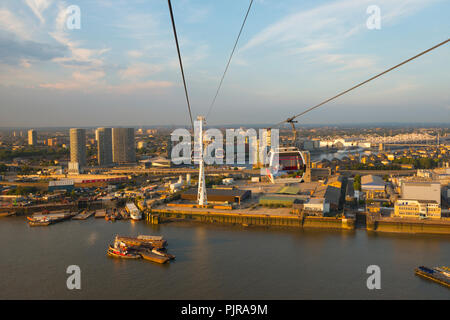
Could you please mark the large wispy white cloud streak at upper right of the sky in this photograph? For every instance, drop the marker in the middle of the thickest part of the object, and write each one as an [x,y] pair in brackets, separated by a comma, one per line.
[327,26]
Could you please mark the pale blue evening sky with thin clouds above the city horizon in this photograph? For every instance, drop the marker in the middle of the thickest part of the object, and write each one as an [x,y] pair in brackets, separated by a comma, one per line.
[120,68]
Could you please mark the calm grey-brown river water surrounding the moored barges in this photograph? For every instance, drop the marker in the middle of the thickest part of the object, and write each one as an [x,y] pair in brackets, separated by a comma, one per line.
[216,262]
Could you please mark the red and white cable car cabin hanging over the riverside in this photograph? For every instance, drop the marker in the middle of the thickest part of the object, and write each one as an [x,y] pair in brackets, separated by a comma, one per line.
[289,159]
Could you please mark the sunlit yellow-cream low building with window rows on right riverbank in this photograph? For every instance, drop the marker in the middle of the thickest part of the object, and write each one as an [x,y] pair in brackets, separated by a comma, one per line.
[417,209]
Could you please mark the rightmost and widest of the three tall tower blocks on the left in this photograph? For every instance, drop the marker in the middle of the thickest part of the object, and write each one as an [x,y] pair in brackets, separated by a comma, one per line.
[123,145]
